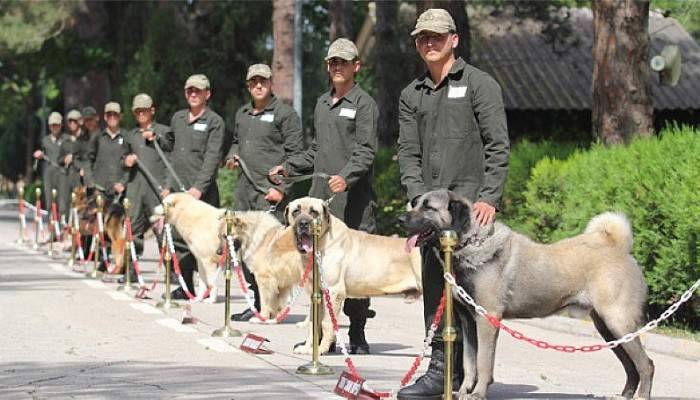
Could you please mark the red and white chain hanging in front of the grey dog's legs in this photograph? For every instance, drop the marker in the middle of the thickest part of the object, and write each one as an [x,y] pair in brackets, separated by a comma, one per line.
[565,348]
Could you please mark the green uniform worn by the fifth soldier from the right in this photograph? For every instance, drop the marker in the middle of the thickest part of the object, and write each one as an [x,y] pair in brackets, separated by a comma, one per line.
[143,194]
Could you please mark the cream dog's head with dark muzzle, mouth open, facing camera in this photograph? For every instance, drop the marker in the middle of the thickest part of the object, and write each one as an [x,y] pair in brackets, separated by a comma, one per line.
[300,213]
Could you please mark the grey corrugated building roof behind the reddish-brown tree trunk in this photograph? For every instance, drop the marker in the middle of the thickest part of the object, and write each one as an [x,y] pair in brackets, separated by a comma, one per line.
[536,75]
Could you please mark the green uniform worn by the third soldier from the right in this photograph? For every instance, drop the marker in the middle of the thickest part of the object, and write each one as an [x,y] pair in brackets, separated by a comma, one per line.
[264,140]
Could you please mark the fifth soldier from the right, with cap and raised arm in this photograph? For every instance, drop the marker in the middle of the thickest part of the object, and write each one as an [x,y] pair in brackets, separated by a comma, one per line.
[144,194]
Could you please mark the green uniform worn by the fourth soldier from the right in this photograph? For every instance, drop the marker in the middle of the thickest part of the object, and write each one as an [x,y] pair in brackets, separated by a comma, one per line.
[197,152]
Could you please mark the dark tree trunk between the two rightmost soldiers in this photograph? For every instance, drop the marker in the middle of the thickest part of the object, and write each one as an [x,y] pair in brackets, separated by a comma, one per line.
[387,78]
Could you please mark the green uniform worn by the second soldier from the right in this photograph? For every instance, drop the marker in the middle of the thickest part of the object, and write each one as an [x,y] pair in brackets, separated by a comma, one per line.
[344,144]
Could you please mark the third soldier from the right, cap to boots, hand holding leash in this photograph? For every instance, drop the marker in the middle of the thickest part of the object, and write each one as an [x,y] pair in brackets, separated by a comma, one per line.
[267,132]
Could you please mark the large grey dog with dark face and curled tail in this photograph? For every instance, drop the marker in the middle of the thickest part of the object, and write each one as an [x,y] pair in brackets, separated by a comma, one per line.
[513,277]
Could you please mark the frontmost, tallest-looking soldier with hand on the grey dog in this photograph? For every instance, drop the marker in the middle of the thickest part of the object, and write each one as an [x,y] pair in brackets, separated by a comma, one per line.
[453,135]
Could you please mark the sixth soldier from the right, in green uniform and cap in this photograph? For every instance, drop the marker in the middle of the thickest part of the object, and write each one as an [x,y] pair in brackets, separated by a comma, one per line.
[104,155]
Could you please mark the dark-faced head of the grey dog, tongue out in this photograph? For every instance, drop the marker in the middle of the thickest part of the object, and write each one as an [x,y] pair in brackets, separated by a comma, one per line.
[434,212]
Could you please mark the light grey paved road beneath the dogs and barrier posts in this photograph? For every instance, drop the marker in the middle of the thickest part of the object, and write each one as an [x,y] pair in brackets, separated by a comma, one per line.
[65,336]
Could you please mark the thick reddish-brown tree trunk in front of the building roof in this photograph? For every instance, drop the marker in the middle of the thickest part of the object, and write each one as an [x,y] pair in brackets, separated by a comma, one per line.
[622,104]
